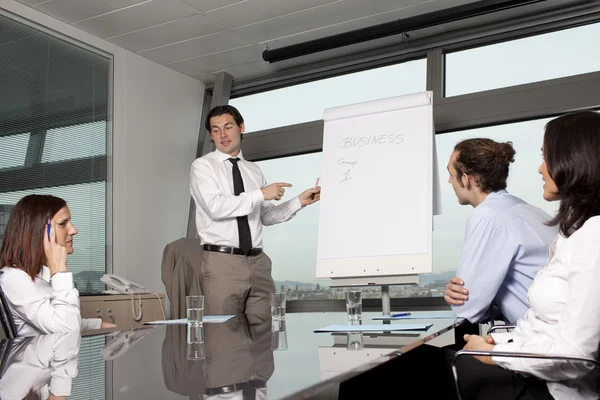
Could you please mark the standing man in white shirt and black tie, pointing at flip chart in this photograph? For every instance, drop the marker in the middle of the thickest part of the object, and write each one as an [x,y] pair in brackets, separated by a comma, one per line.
[233,202]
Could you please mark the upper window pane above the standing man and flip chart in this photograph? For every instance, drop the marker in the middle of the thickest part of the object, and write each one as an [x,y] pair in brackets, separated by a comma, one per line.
[308,101]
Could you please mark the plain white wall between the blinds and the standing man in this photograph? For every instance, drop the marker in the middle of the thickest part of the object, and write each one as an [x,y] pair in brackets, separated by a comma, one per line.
[156,119]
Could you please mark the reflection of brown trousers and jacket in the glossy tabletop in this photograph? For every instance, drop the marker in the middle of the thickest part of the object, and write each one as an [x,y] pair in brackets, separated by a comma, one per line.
[237,362]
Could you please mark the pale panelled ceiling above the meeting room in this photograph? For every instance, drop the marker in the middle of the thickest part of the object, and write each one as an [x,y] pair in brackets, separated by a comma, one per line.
[202,37]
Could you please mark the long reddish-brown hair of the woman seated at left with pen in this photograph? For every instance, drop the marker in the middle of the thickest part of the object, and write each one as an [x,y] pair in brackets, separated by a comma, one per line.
[23,245]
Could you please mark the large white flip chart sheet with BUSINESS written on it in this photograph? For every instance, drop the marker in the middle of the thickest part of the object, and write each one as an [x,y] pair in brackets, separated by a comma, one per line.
[375,181]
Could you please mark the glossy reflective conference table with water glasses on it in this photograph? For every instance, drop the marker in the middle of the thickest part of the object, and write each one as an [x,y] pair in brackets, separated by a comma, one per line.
[244,358]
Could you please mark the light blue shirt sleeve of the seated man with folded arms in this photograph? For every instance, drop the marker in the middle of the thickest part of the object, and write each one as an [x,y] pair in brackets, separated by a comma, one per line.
[484,263]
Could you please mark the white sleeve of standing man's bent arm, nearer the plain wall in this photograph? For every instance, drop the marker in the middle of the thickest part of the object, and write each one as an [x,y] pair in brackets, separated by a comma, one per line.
[207,195]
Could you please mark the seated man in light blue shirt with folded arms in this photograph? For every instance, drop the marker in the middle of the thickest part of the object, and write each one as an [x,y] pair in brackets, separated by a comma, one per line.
[506,239]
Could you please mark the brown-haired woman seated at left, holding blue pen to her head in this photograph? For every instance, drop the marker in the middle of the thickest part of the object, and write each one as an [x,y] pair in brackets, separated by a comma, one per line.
[35,280]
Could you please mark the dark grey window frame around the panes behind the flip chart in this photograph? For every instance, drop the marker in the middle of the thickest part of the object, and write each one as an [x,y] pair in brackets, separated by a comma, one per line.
[473,110]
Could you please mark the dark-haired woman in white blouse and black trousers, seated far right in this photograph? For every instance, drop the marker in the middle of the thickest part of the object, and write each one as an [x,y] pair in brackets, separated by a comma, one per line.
[564,313]
